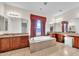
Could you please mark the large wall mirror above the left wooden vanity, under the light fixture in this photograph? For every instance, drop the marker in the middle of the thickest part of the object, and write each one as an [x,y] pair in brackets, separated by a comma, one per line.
[17,25]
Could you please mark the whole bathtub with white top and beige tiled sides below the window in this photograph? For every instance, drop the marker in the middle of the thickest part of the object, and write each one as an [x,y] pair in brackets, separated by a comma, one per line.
[42,42]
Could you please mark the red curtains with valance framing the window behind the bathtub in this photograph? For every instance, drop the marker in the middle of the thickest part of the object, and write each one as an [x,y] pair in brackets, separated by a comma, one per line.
[33,19]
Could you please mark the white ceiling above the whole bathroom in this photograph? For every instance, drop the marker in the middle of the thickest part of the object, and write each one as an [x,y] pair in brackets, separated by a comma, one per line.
[51,8]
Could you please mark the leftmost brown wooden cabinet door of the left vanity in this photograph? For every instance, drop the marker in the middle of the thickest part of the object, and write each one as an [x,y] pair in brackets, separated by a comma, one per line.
[5,44]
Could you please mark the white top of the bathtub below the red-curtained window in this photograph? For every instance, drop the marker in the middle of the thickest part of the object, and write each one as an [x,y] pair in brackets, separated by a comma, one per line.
[40,39]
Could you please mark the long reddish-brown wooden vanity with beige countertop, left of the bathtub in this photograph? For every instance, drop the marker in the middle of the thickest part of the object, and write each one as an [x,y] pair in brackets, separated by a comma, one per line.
[13,41]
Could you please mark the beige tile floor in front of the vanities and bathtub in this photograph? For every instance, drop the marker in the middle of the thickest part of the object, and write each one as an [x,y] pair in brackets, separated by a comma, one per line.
[58,50]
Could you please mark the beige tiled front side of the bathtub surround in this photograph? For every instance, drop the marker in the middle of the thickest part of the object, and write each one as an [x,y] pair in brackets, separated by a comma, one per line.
[36,46]
